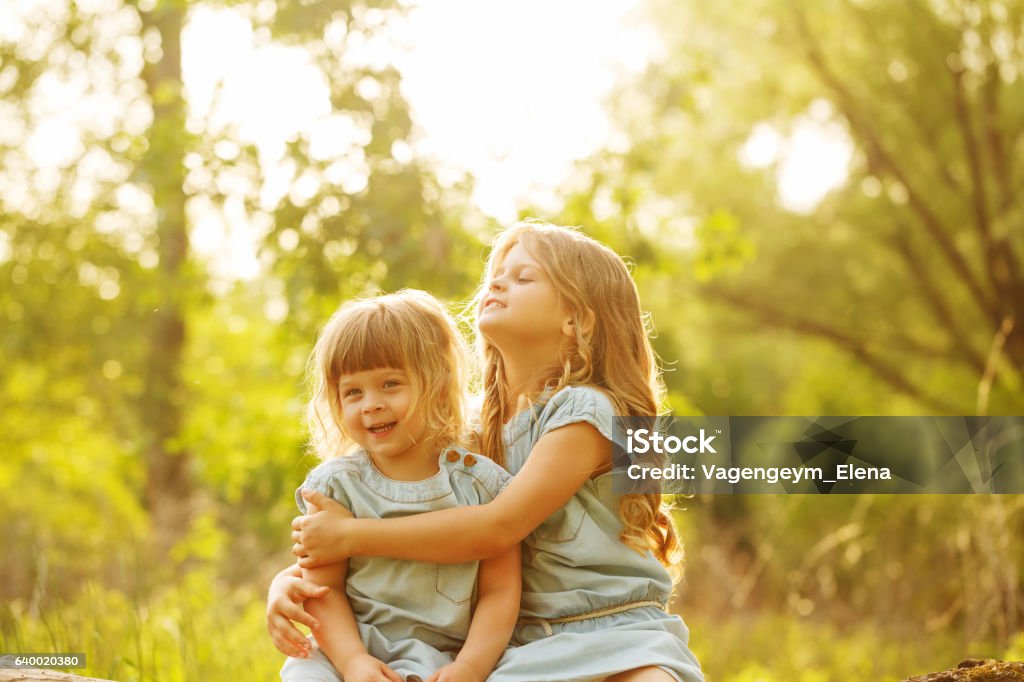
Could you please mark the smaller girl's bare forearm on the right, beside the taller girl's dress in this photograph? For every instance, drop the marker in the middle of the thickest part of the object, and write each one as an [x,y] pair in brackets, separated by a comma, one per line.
[499,587]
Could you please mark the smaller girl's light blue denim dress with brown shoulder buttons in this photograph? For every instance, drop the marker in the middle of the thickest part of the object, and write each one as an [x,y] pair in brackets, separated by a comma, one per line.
[413,616]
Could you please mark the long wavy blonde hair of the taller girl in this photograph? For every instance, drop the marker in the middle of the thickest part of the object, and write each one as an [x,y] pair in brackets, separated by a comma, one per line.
[612,352]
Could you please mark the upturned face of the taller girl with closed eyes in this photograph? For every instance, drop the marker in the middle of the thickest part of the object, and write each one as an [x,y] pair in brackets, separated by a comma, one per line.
[522,305]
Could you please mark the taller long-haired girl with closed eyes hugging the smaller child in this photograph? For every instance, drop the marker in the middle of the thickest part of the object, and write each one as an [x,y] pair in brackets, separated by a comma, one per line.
[565,351]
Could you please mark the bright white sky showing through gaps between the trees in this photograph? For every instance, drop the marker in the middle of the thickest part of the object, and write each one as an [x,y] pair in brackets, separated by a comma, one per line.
[511,94]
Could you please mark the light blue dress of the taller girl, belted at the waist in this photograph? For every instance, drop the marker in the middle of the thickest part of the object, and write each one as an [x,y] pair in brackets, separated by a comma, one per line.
[575,565]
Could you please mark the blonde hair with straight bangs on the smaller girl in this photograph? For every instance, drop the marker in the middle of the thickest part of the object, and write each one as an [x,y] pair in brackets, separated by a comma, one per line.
[409,331]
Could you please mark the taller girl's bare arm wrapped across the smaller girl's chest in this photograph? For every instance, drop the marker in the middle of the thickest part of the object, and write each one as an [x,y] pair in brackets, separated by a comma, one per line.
[560,464]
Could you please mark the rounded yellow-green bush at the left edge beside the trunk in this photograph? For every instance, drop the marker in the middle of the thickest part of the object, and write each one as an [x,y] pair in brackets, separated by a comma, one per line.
[69,489]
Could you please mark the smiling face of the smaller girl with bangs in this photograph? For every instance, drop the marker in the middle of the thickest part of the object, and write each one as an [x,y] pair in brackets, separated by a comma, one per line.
[378,414]
